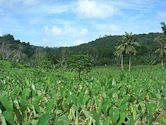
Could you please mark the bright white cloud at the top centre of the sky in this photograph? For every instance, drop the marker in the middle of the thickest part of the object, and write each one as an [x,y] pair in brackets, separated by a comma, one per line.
[94,9]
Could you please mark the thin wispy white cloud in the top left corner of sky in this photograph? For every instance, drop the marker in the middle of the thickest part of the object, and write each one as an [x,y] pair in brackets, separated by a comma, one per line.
[34,7]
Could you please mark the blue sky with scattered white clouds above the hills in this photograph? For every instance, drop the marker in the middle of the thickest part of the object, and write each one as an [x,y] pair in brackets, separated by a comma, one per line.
[56,23]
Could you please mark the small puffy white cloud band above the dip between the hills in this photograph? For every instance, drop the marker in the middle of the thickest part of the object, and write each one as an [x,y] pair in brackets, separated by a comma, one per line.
[66,31]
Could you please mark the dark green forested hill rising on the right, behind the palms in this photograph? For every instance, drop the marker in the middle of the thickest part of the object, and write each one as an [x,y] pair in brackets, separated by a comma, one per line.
[102,49]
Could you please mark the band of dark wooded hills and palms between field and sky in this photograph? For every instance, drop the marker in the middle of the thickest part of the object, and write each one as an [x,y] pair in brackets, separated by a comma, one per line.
[108,50]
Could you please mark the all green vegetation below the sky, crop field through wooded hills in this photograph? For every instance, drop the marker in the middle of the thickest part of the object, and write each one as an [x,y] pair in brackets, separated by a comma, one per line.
[39,86]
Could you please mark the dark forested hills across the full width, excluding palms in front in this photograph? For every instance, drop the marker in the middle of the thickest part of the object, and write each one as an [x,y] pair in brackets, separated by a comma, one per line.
[101,50]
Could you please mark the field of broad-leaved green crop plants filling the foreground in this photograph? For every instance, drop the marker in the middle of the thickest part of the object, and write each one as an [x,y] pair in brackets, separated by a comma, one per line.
[105,96]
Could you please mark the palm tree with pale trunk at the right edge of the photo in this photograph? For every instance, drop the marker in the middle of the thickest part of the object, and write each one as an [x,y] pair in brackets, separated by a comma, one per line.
[162,49]
